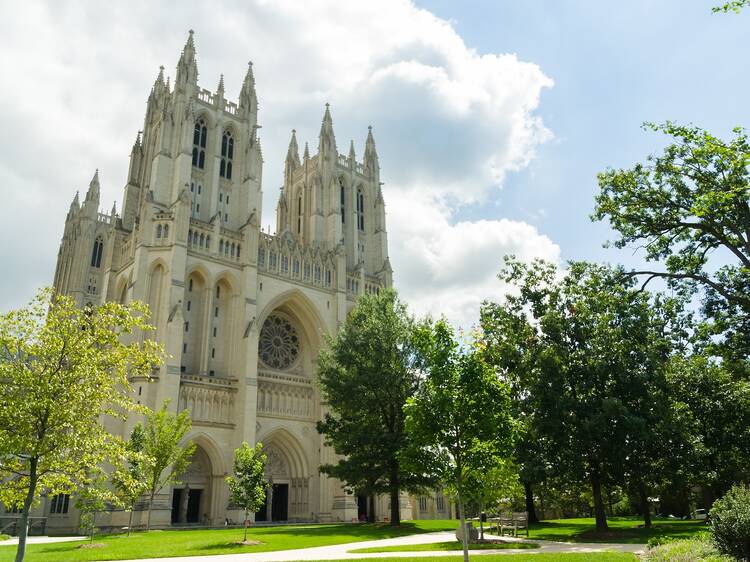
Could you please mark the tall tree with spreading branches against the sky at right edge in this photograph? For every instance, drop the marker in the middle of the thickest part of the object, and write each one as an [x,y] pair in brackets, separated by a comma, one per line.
[690,208]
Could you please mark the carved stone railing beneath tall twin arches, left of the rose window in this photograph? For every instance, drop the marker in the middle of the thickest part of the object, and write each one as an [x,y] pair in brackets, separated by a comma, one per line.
[210,400]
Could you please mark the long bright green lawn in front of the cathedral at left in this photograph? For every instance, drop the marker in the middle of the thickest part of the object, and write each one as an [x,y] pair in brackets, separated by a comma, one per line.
[156,544]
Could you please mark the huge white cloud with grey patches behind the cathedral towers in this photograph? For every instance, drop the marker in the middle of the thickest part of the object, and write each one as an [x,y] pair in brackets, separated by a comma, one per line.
[450,123]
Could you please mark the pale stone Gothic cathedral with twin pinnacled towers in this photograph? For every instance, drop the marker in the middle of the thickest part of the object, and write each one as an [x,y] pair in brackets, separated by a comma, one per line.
[240,312]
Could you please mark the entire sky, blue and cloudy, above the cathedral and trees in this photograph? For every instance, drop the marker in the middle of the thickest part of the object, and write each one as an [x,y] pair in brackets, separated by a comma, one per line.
[491,118]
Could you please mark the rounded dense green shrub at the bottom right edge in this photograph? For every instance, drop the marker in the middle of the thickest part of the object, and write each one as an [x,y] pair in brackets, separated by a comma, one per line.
[730,523]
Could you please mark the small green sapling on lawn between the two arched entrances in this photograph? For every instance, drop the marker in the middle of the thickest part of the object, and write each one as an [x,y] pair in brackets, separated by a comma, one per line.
[247,484]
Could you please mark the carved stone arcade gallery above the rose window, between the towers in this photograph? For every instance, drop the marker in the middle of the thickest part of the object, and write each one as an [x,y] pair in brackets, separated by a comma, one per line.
[284,256]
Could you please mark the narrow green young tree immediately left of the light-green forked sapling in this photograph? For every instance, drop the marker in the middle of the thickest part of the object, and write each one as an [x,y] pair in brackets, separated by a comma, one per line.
[130,478]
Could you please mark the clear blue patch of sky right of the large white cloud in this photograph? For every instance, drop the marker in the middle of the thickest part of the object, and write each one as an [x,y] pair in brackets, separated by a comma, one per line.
[615,65]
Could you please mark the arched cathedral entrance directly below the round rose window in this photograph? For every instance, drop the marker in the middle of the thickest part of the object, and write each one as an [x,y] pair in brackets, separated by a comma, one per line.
[287,497]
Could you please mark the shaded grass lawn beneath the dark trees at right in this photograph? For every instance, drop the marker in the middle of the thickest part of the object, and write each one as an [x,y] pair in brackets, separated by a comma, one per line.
[621,529]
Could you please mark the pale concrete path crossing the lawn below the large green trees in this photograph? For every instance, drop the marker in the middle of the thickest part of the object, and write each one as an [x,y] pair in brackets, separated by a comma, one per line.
[341,551]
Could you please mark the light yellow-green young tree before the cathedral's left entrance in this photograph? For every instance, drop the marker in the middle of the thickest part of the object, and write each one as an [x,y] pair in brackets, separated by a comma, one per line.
[162,443]
